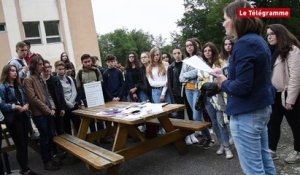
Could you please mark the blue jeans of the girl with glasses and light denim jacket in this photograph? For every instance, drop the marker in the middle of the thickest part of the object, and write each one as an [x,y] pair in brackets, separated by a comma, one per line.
[191,96]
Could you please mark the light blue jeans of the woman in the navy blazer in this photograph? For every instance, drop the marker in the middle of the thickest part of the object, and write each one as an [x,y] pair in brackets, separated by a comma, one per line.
[250,134]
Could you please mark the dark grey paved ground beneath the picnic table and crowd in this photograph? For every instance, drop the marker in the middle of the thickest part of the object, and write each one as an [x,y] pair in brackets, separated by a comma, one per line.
[167,161]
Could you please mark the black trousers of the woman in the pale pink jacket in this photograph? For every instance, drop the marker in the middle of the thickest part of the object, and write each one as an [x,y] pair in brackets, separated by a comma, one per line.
[293,119]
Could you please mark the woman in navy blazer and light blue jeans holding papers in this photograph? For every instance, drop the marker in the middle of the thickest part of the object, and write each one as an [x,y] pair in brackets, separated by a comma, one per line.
[249,90]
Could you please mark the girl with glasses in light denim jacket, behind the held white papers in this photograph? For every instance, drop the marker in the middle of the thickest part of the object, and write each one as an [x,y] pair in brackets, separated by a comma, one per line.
[189,76]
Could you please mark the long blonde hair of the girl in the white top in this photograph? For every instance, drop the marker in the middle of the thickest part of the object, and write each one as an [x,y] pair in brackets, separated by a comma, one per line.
[161,68]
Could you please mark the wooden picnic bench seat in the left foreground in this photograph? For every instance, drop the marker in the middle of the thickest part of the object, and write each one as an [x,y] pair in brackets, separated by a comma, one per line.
[95,157]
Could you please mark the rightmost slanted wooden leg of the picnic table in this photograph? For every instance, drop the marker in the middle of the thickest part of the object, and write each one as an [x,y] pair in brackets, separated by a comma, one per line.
[168,126]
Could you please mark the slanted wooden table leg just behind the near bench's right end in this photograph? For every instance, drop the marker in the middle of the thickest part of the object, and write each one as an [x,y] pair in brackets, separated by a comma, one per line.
[121,137]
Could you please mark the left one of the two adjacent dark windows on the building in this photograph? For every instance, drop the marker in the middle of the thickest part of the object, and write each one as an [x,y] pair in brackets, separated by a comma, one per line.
[32,32]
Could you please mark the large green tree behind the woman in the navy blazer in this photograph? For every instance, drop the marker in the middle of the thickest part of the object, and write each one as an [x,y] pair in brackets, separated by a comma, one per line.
[203,19]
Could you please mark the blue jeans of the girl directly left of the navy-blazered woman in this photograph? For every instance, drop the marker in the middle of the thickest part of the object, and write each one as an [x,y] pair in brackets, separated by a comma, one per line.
[218,125]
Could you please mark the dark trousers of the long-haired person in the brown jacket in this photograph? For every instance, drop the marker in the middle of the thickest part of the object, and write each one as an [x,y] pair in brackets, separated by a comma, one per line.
[46,129]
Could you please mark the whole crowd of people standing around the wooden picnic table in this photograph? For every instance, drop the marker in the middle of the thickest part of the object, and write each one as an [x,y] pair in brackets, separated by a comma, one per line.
[250,81]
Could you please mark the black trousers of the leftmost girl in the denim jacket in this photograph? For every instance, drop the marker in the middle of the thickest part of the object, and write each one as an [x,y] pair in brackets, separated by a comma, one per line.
[18,129]
